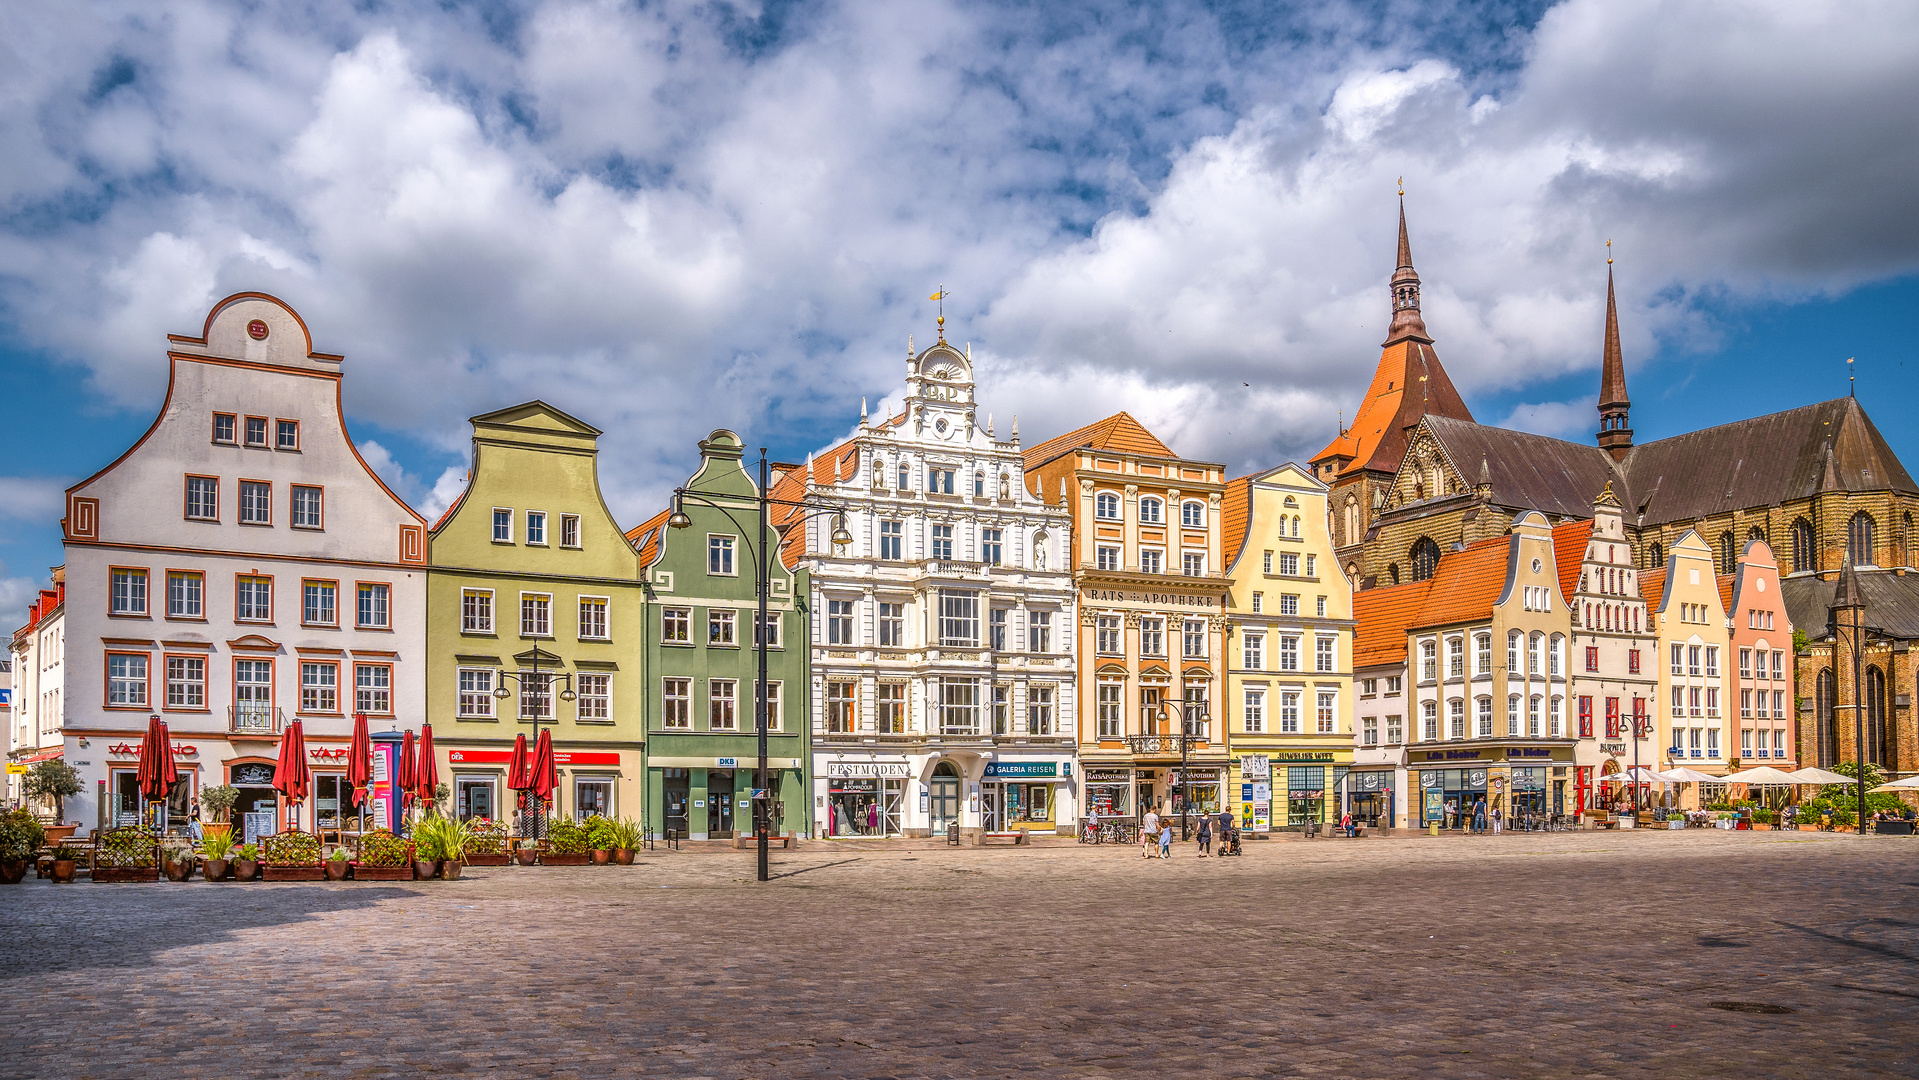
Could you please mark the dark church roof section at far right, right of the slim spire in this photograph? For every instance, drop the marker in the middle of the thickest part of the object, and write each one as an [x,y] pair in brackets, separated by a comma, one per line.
[1761,463]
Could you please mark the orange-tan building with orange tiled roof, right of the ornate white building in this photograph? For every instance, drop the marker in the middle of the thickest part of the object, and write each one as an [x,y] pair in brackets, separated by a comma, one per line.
[1152,617]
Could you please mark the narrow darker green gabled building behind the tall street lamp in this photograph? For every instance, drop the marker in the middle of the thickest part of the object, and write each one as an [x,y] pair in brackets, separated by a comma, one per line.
[701,663]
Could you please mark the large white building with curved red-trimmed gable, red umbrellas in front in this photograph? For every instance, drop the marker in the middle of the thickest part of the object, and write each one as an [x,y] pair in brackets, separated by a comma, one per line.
[233,571]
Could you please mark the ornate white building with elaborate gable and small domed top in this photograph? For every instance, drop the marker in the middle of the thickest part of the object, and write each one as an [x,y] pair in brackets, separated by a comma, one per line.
[943,634]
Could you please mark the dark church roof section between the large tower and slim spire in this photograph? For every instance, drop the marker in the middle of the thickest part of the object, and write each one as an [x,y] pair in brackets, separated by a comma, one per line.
[1534,473]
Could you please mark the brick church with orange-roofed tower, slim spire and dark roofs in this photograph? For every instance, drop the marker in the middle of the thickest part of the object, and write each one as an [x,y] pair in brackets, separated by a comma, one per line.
[1417,477]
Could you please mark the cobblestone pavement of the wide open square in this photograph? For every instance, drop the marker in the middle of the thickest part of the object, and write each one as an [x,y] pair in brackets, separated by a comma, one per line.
[1519,956]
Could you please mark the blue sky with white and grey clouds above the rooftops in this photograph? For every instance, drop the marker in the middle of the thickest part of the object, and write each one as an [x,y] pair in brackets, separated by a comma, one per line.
[676,216]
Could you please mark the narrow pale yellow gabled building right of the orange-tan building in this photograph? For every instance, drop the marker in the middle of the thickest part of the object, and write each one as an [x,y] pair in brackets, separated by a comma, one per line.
[1289,657]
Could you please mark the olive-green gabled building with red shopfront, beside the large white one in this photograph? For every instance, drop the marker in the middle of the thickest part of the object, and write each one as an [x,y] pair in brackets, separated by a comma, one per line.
[533,588]
